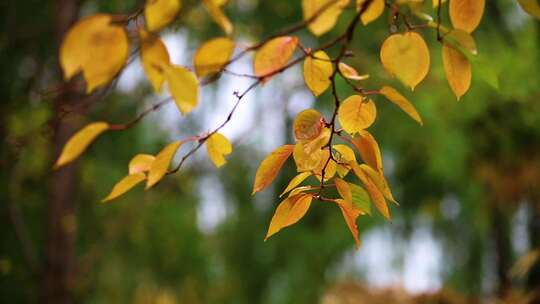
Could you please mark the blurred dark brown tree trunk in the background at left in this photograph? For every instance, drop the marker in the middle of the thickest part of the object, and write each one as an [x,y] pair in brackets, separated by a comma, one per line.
[59,274]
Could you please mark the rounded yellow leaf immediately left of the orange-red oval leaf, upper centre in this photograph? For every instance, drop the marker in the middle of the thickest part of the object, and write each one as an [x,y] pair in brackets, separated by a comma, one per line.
[212,56]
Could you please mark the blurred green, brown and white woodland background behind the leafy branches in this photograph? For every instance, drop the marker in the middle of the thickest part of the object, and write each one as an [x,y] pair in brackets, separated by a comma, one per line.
[467,181]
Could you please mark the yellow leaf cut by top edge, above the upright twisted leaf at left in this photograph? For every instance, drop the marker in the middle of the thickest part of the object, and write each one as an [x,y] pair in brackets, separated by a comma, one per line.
[159,13]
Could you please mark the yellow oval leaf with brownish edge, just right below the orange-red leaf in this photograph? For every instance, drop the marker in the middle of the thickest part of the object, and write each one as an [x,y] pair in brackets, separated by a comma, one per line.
[317,72]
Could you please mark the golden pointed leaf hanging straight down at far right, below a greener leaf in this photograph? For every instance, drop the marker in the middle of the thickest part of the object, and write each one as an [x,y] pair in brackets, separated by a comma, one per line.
[458,70]
